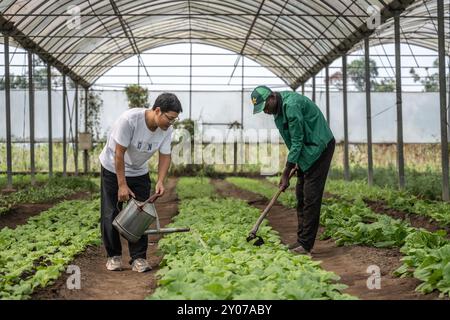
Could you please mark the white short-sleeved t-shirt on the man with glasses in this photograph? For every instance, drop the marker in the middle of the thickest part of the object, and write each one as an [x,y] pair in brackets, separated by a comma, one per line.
[131,131]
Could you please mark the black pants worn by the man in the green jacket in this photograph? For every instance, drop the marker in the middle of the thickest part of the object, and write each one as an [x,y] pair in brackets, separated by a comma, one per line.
[309,191]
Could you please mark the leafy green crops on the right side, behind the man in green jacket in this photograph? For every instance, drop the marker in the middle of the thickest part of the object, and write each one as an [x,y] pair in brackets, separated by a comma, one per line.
[349,221]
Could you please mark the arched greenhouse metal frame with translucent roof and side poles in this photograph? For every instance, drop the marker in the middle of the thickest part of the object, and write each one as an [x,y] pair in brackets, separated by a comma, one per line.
[294,39]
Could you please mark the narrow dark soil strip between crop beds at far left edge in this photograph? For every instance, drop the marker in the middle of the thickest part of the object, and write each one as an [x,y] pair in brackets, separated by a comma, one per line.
[19,214]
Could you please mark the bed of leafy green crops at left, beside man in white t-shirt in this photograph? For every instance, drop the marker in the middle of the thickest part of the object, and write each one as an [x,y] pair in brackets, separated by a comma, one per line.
[33,255]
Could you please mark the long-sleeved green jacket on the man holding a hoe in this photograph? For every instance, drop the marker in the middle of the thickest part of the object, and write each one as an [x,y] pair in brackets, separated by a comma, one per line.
[303,128]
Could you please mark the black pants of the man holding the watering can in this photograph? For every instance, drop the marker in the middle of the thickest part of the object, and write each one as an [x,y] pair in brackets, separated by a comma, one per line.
[110,236]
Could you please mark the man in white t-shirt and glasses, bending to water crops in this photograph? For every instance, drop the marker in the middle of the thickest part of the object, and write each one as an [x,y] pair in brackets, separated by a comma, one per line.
[134,138]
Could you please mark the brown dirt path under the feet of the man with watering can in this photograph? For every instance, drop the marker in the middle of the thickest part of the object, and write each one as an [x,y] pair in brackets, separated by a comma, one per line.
[100,284]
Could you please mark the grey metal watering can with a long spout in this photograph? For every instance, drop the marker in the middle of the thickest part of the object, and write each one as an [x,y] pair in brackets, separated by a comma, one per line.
[132,222]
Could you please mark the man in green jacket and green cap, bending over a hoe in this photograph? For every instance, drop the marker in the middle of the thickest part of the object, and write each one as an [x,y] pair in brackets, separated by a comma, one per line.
[311,146]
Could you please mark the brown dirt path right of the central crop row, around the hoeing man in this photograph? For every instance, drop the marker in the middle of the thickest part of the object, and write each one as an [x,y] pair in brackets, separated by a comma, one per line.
[350,262]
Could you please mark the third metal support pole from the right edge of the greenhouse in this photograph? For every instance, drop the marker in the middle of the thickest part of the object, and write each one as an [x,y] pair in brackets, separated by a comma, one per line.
[368,113]
